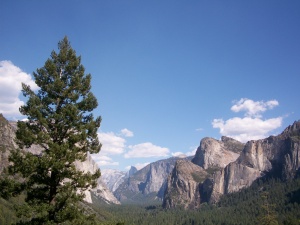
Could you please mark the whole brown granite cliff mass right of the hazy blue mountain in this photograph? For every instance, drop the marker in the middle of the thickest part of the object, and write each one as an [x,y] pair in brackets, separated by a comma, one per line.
[227,166]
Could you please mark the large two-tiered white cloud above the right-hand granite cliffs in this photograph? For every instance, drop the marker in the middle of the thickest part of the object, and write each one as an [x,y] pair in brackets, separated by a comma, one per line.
[252,126]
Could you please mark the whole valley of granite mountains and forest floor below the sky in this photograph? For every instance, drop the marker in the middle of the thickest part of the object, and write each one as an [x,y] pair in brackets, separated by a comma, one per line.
[226,182]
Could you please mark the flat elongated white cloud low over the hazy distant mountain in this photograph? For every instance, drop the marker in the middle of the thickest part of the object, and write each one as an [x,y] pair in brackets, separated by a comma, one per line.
[146,150]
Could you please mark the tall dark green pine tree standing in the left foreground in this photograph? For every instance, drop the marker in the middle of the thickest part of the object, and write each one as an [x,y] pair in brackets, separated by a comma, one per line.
[60,122]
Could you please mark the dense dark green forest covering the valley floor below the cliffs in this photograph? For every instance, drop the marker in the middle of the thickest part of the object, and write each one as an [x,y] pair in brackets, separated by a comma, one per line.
[267,201]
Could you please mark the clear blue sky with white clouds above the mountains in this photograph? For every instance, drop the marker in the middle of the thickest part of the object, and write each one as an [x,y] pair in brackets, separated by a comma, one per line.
[165,73]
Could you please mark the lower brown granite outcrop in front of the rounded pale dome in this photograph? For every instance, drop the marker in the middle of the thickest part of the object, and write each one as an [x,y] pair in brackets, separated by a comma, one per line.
[183,185]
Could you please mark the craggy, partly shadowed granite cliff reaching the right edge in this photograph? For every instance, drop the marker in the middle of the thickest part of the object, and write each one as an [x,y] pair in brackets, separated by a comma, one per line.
[277,156]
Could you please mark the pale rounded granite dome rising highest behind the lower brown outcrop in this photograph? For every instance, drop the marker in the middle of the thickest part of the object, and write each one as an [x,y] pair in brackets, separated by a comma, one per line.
[217,154]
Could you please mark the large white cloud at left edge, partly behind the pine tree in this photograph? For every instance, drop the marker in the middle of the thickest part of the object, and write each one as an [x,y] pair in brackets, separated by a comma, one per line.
[11,78]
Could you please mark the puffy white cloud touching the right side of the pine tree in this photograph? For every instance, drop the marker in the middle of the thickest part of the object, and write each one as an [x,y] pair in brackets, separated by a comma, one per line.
[111,143]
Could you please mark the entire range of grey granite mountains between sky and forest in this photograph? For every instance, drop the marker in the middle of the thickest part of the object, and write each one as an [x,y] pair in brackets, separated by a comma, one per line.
[219,167]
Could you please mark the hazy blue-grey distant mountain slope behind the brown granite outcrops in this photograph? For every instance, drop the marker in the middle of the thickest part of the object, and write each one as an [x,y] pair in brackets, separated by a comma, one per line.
[149,181]
